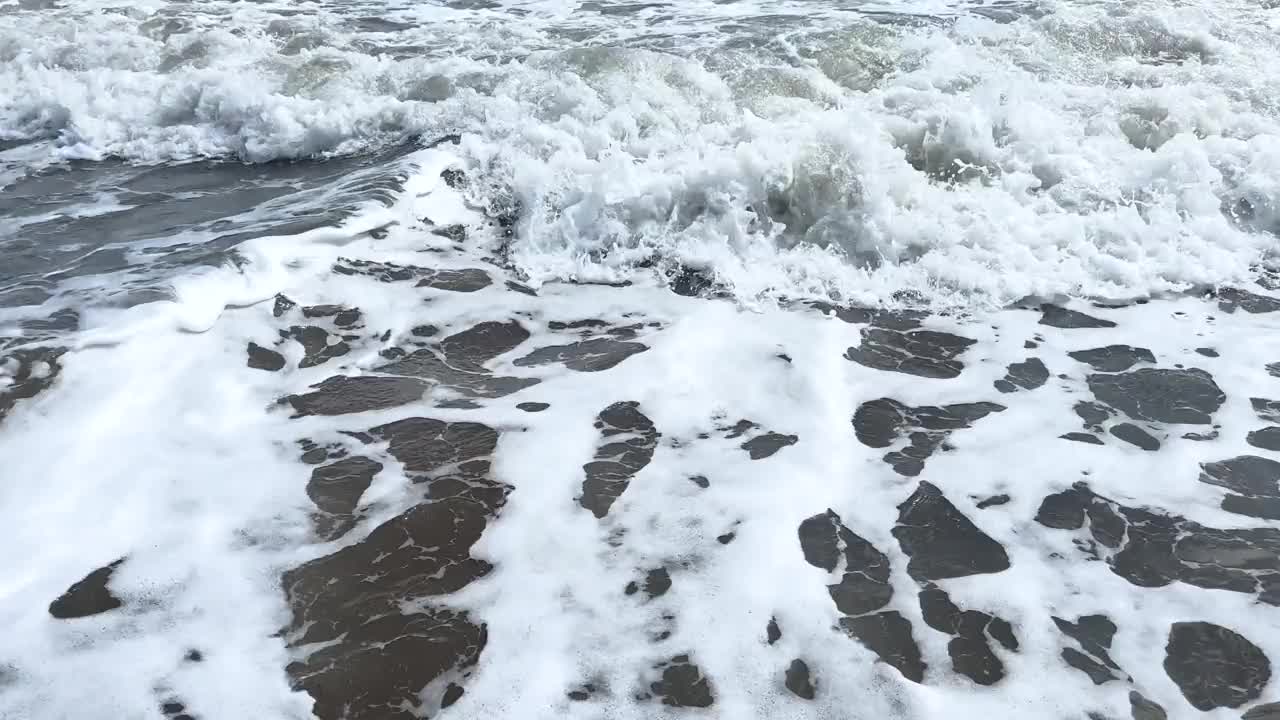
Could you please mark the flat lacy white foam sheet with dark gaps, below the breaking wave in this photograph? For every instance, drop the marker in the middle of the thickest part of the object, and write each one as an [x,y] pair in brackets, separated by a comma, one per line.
[156,446]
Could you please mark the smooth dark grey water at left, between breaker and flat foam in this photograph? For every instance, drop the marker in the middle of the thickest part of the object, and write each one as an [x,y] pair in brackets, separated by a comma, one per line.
[112,234]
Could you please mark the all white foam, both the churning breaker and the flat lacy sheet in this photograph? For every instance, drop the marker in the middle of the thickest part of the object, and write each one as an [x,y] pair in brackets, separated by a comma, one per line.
[1082,149]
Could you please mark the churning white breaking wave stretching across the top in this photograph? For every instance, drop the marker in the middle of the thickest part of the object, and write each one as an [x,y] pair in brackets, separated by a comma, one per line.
[971,153]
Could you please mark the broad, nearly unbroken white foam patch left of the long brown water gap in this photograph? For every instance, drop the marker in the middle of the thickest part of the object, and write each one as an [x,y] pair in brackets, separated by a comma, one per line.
[172,464]
